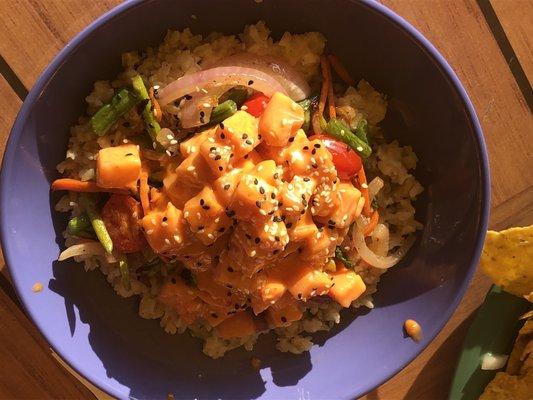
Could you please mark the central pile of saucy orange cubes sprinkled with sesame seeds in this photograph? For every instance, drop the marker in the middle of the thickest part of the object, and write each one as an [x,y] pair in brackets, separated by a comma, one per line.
[255,211]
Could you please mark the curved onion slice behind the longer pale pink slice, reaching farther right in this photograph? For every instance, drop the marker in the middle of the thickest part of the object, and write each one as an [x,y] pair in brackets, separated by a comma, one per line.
[293,81]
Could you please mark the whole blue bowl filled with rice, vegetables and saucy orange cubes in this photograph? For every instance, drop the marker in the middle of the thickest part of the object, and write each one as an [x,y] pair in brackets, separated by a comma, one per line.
[241,162]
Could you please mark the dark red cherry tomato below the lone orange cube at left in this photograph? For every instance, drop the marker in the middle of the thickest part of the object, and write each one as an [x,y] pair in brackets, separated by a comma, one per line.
[122,225]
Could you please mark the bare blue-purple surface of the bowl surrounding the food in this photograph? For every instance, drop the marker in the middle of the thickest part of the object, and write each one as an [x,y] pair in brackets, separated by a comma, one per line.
[100,334]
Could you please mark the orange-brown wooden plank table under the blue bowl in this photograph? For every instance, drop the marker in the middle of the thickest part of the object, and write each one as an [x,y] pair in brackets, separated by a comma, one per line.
[488,43]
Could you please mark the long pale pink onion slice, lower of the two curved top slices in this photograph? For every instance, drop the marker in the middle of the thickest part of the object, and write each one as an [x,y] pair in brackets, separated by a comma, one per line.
[209,79]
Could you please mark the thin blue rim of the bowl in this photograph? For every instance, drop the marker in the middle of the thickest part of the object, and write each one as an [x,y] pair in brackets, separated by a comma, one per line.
[59,59]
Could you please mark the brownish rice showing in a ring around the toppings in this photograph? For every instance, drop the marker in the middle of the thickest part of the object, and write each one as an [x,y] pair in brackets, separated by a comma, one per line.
[183,52]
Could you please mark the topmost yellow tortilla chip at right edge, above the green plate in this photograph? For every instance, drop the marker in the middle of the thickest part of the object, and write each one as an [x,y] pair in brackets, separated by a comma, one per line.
[507,258]
